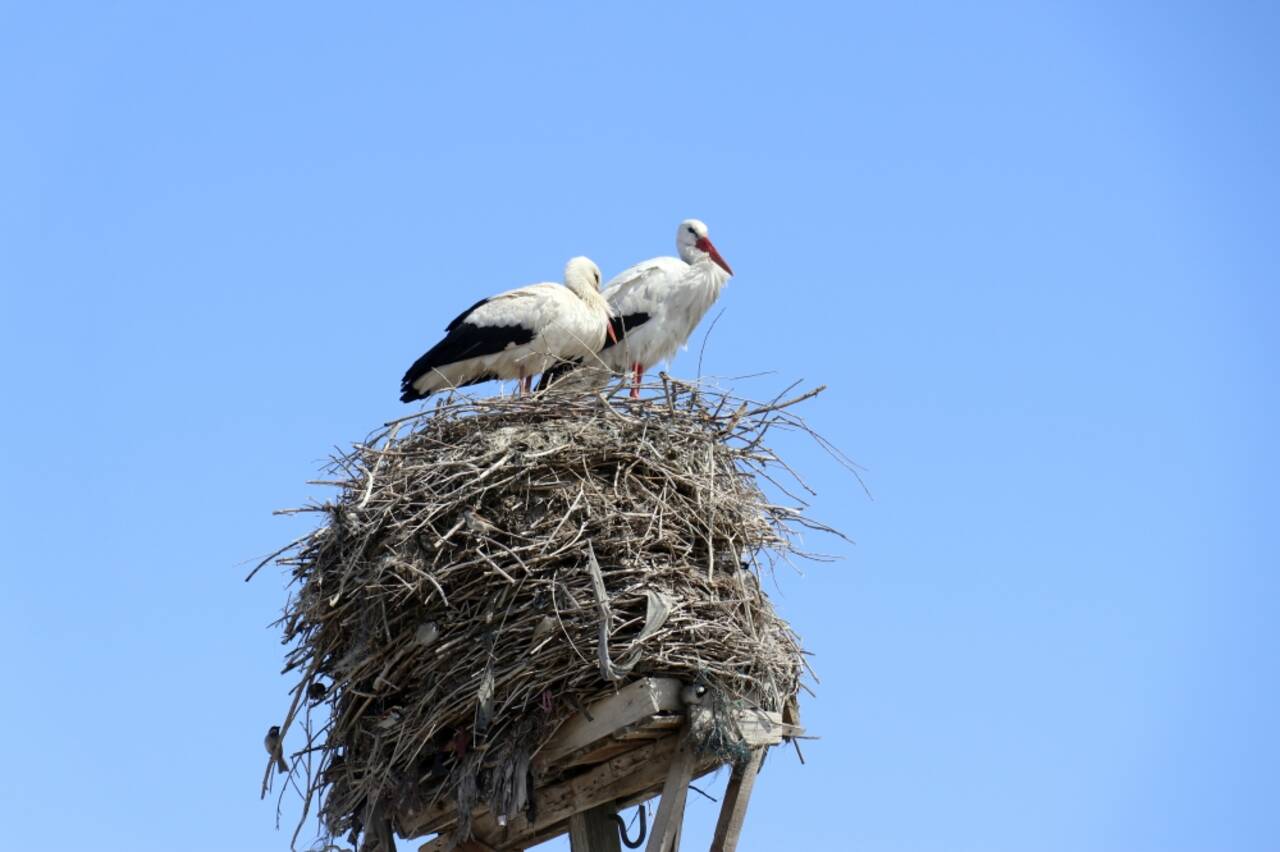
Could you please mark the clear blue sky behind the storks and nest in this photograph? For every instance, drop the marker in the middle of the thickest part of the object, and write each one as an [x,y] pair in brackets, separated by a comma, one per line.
[1031,248]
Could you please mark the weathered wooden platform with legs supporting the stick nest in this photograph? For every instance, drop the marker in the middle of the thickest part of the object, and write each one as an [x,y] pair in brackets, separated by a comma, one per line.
[623,750]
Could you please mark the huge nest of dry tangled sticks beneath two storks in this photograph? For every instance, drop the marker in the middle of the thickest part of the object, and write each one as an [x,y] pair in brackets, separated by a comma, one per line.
[490,567]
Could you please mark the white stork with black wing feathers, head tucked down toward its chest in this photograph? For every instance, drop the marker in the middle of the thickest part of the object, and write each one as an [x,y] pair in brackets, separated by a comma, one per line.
[518,335]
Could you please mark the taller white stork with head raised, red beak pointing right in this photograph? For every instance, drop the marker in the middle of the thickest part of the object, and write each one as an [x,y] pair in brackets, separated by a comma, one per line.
[659,304]
